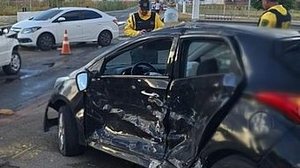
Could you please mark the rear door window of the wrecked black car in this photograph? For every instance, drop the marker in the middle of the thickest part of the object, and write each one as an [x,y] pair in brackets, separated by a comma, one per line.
[204,57]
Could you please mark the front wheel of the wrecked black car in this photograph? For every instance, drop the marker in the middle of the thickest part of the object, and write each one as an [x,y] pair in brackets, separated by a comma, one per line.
[67,133]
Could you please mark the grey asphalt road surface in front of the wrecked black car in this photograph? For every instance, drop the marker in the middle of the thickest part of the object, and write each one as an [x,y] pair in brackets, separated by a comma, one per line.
[22,141]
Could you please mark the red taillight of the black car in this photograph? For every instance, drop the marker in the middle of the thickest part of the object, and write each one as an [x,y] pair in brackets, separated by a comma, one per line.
[288,104]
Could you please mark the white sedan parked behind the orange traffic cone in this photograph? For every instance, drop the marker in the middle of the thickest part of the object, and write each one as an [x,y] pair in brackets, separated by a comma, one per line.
[82,24]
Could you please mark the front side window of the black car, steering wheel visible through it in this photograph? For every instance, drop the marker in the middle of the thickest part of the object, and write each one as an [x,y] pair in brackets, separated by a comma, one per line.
[142,58]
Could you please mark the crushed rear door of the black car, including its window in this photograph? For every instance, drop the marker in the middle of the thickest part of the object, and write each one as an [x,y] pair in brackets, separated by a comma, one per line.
[209,74]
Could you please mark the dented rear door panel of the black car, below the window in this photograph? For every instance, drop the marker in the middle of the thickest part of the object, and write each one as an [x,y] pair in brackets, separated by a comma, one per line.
[193,104]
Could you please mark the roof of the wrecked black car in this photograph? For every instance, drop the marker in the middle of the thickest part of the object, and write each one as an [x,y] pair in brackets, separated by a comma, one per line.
[228,28]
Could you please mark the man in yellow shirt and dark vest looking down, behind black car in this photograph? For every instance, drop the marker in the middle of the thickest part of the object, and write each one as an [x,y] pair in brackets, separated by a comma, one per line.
[142,21]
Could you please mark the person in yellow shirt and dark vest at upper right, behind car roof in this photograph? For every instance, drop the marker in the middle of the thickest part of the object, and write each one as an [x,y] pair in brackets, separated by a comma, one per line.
[275,16]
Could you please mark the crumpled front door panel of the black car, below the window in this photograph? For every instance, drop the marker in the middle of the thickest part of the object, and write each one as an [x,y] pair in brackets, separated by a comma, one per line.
[129,115]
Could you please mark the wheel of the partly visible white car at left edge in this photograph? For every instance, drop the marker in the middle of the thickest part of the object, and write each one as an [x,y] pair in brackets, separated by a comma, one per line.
[14,65]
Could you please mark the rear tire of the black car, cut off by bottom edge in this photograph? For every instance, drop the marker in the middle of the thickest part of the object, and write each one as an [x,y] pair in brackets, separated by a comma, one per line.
[234,161]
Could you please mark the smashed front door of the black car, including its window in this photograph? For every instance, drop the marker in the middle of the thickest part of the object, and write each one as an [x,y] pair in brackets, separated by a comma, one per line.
[126,103]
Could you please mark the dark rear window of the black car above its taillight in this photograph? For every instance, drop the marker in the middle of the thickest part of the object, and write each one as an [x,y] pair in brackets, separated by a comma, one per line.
[291,55]
